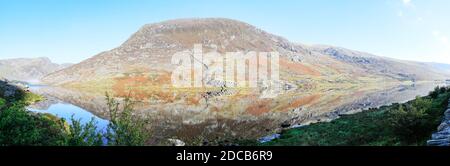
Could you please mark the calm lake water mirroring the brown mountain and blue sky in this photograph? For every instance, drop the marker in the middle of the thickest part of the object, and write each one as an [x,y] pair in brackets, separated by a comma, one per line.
[227,118]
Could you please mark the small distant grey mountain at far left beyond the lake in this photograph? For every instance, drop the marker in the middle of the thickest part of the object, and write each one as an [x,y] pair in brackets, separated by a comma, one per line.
[28,69]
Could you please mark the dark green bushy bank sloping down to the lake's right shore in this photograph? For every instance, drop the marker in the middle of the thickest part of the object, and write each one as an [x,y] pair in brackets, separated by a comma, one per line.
[408,124]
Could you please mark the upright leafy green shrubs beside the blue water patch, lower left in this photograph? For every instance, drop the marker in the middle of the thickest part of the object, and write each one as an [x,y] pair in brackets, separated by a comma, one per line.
[123,129]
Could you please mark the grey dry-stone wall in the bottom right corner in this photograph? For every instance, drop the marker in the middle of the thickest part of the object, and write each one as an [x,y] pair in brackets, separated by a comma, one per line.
[442,136]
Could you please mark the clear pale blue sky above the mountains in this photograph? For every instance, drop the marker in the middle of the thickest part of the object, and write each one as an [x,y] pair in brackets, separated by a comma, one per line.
[74,30]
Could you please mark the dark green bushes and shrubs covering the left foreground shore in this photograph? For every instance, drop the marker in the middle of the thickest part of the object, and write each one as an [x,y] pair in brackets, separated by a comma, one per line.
[18,126]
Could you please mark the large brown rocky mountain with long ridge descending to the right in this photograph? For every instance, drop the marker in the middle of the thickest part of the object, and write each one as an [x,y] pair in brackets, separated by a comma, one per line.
[149,50]
